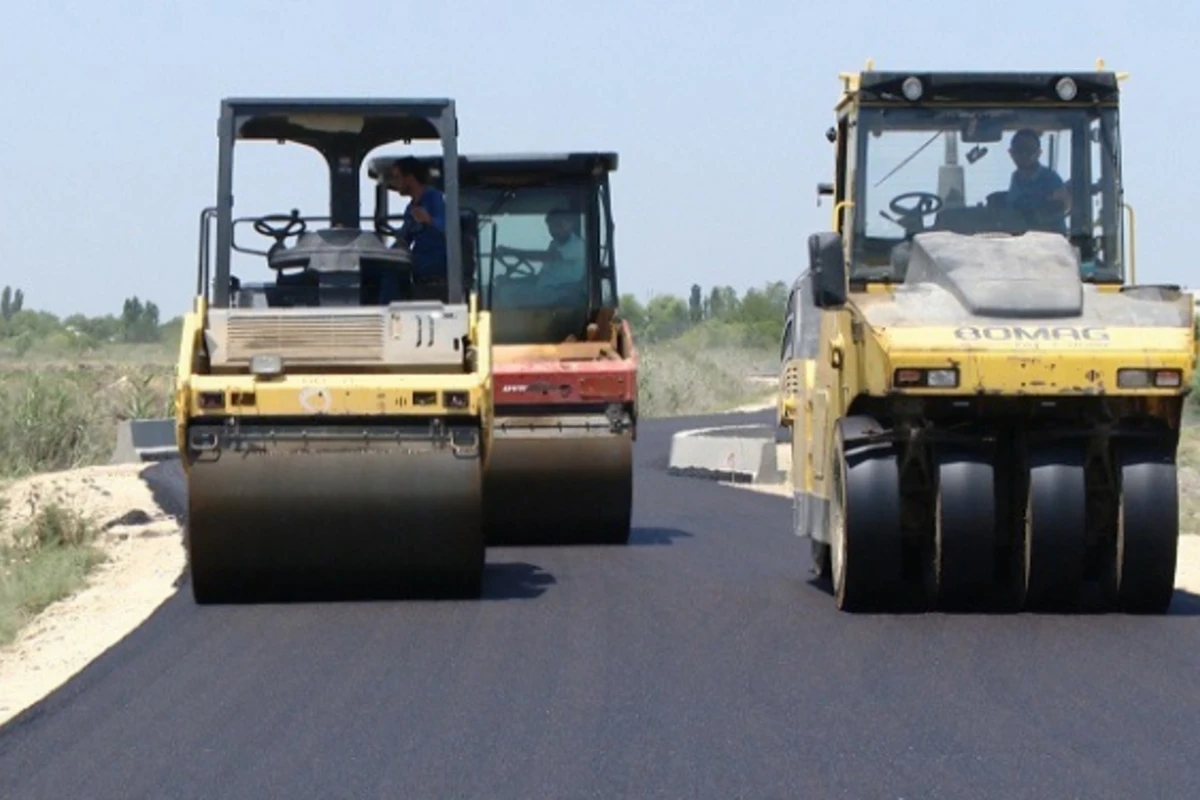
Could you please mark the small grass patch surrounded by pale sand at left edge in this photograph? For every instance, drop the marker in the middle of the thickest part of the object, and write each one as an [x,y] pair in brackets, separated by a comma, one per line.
[44,562]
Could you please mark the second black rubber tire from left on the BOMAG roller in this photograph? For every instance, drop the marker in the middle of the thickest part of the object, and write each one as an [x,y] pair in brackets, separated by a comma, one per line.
[963,554]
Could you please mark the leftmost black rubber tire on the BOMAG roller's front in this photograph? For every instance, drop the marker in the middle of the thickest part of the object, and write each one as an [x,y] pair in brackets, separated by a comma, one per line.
[866,506]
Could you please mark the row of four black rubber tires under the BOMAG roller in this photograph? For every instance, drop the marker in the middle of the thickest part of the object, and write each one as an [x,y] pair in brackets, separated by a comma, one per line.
[1046,572]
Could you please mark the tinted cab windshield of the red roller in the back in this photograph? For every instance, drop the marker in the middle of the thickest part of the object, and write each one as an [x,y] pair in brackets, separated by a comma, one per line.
[535,245]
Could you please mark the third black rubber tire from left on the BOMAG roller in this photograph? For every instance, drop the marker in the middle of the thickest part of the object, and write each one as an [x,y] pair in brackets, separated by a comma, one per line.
[1055,533]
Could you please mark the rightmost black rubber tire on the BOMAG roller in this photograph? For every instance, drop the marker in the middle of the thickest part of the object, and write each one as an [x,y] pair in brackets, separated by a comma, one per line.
[1142,566]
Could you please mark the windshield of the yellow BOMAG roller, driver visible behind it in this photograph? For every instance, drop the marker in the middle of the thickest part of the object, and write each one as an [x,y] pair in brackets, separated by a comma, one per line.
[987,171]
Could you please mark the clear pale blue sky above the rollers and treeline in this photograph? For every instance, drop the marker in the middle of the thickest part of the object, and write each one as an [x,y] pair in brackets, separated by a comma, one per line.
[718,111]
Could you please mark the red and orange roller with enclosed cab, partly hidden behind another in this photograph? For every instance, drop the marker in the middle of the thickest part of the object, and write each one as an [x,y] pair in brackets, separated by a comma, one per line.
[565,386]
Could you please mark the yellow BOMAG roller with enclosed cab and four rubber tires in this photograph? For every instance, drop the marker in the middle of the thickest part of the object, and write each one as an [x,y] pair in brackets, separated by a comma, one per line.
[983,412]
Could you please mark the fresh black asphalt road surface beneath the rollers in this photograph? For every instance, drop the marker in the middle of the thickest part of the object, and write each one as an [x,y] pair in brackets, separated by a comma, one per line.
[699,663]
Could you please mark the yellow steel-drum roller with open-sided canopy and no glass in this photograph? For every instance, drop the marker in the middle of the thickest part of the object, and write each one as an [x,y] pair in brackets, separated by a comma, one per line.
[334,446]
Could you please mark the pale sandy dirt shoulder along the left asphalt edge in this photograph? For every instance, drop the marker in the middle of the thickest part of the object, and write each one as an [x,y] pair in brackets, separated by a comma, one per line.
[140,536]
